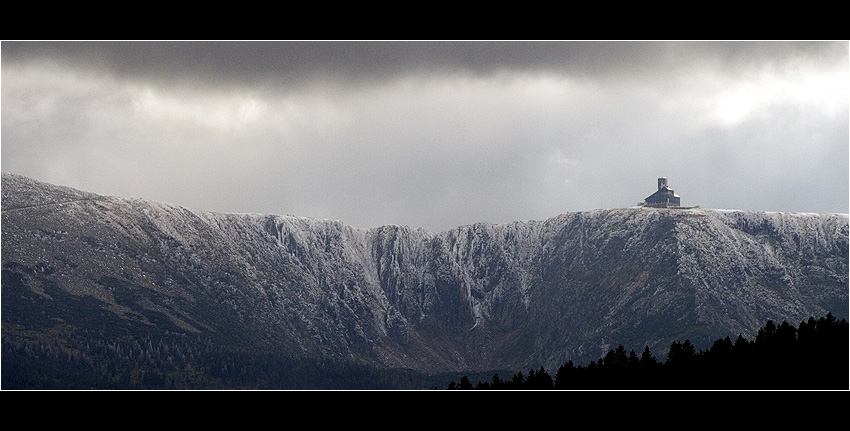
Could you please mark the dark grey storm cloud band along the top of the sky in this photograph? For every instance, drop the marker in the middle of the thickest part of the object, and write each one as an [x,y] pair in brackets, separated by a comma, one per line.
[295,62]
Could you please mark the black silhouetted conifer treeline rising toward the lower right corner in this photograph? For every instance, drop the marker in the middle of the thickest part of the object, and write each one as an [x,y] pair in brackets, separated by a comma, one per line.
[815,355]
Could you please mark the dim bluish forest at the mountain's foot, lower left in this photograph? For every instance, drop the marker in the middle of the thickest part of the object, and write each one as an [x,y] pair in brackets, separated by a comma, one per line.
[178,361]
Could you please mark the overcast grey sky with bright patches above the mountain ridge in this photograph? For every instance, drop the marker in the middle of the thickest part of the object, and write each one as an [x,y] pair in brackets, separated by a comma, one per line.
[432,134]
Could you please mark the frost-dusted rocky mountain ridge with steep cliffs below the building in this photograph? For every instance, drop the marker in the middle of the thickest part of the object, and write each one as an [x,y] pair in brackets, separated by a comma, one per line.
[94,269]
